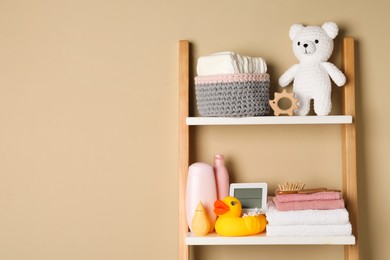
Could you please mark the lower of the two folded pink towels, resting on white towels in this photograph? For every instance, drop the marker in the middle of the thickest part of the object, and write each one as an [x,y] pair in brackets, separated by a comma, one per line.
[312,204]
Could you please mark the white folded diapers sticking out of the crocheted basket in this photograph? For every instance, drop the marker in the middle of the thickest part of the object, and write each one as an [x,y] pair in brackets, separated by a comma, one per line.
[229,63]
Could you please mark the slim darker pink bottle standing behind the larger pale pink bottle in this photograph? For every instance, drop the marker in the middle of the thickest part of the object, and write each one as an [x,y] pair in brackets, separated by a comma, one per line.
[221,176]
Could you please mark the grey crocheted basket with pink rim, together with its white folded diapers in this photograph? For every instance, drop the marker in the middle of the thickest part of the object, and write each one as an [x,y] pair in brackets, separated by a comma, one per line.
[232,85]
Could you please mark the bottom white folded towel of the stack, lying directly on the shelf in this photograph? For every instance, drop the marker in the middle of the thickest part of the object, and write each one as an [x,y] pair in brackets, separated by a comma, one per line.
[309,230]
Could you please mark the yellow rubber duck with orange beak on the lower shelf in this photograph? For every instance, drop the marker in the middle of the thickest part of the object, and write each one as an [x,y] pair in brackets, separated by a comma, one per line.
[230,222]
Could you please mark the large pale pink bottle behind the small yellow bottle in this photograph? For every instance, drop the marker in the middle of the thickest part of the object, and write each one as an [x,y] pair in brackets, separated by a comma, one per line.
[201,187]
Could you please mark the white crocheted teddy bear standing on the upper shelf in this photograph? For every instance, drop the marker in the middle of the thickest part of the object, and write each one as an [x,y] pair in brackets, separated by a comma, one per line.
[313,45]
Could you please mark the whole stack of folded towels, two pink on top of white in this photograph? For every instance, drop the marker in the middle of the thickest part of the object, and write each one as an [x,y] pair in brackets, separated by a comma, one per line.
[313,214]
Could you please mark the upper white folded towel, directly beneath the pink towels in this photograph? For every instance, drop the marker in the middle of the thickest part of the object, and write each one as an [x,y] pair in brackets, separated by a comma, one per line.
[306,217]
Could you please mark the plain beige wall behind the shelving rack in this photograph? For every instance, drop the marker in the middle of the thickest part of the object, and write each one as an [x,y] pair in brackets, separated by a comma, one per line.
[88,123]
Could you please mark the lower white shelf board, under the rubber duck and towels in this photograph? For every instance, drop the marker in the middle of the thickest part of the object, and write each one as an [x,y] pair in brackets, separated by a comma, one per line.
[263,239]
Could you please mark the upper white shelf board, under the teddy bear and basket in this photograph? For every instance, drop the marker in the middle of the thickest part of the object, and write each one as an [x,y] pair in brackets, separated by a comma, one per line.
[270,120]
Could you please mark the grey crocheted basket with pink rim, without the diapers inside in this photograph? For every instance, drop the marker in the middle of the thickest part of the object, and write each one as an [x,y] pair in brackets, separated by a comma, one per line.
[233,95]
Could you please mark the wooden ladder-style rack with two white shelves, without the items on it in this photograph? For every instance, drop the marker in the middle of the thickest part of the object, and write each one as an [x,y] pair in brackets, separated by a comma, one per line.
[349,171]
